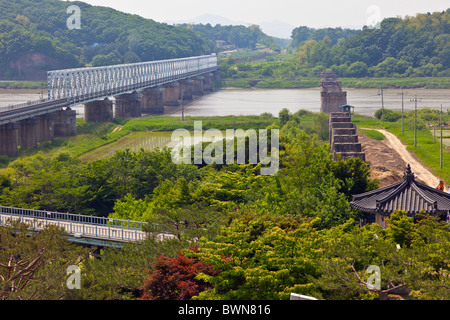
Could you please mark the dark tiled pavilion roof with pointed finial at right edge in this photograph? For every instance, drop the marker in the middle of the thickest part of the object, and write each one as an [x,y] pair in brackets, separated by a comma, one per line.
[408,195]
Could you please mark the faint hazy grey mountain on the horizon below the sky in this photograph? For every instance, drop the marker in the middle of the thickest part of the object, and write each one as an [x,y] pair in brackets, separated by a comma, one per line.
[274,28]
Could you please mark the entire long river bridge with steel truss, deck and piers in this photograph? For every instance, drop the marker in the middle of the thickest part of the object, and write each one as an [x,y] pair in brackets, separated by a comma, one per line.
[137,89]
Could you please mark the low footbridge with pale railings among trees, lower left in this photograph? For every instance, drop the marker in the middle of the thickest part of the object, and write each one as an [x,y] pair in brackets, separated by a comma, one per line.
[89,230]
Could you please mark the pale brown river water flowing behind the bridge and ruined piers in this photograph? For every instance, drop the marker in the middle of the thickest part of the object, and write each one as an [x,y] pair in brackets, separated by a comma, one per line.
[256,101]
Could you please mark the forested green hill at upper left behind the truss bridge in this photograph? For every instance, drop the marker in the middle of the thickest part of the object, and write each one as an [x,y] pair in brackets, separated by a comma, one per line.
[34,38]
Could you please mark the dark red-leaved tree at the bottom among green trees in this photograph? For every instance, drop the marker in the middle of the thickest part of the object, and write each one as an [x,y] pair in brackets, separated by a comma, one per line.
[174,278]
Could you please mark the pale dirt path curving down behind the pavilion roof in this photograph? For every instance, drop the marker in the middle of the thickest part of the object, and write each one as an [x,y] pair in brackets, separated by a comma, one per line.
[421,172]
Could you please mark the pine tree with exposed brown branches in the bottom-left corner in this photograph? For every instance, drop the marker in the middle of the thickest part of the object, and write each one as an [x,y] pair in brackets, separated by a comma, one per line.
[35,267]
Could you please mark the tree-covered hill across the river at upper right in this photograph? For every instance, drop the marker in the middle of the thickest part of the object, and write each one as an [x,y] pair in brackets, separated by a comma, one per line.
[413,46]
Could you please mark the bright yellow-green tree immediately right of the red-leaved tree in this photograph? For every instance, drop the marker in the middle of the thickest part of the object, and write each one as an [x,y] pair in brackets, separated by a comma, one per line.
[260,257]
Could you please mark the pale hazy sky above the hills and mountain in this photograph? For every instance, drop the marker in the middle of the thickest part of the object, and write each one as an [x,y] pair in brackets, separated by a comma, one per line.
[311,13]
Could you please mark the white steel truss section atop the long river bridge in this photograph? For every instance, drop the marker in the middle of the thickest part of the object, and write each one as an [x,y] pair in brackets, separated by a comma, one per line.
[87,84]
